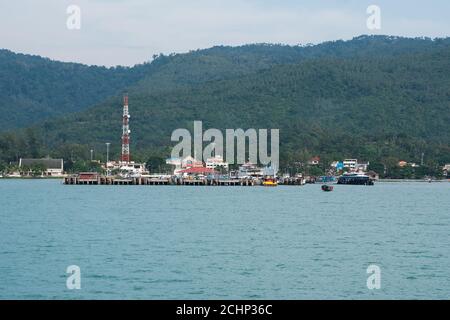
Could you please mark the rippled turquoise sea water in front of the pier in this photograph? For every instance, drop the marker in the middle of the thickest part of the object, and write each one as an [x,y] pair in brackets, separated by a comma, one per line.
[164,242]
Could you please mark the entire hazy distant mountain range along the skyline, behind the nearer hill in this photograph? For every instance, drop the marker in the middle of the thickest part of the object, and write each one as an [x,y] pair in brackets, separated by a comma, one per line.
[34,88]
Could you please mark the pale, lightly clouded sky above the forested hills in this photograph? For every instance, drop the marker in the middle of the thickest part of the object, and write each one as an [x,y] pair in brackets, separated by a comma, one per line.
[128,32]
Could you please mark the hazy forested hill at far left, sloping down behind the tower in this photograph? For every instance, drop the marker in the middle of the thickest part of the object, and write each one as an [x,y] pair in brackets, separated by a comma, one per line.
[34,88]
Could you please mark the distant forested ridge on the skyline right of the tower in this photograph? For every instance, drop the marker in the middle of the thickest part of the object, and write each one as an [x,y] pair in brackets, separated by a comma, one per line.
[223,62]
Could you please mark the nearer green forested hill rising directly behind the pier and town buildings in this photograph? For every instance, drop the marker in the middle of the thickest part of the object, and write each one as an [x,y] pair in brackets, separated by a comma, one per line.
[371,108]
